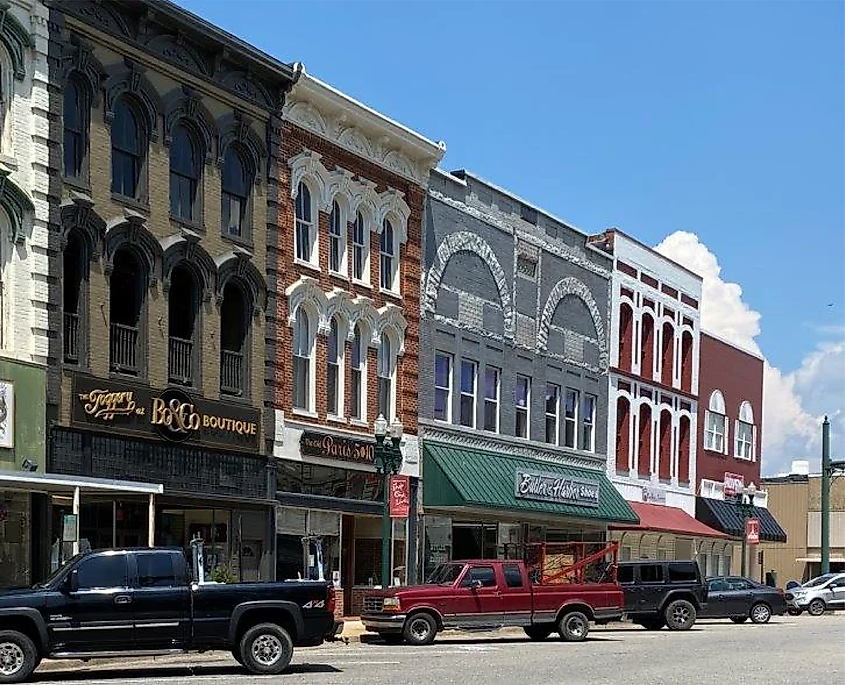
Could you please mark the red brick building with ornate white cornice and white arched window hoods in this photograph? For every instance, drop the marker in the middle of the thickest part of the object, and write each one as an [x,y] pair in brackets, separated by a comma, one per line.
[346,311]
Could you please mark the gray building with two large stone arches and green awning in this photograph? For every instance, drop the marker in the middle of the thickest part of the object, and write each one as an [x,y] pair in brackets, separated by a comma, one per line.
[513,377]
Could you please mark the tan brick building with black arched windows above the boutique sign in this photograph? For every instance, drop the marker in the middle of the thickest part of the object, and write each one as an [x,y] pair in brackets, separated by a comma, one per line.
[167,132]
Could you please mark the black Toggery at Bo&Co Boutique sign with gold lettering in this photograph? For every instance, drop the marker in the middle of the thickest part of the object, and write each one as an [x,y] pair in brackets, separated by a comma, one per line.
[171,414]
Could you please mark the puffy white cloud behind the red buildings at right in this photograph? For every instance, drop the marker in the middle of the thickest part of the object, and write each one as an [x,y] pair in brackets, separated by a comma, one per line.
[793,403]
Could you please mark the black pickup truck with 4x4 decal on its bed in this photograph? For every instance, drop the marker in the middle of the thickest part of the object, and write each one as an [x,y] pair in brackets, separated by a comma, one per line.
[142,602]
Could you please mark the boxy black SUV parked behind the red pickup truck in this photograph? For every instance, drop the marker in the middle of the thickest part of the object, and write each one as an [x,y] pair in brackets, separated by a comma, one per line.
[662,593]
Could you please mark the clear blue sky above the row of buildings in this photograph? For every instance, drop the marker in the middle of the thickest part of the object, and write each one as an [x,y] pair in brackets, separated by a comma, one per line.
[726,120]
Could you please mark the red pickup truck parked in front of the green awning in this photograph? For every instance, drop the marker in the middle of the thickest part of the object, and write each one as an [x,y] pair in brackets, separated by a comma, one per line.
[481,595]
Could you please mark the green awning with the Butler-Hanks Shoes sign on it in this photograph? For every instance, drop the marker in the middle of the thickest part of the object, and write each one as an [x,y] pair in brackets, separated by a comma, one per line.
[465,477]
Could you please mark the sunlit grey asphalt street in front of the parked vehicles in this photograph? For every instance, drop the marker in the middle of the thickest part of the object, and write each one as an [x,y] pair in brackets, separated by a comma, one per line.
[787,651]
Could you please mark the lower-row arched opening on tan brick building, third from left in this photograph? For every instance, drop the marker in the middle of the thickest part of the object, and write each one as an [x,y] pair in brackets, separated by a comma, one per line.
[183,307]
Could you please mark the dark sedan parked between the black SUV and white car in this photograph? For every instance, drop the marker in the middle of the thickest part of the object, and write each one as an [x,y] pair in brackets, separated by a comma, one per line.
[740,599]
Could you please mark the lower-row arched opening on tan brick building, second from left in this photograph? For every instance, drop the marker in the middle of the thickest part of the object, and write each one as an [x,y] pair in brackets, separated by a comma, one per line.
[126,302]
